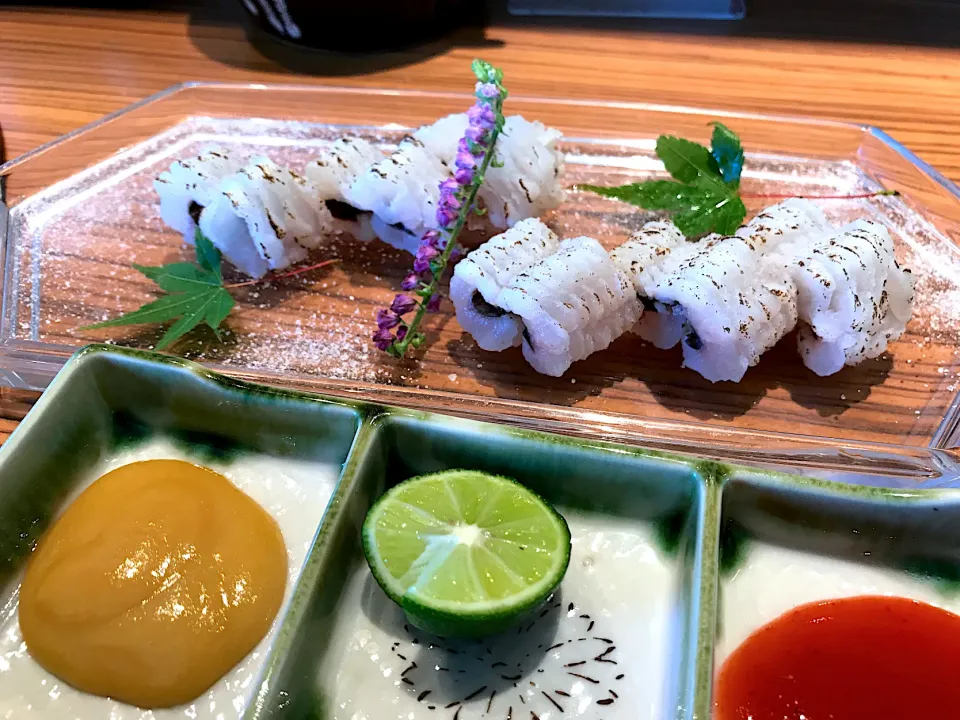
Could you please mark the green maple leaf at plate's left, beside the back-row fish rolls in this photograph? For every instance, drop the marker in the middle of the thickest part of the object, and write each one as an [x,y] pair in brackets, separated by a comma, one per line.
[196,295]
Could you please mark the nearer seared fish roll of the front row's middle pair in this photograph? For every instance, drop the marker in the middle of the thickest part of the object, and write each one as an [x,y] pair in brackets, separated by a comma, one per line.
[735,302]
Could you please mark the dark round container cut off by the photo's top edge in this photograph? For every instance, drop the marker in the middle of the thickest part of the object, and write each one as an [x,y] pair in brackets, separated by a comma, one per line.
[354,25]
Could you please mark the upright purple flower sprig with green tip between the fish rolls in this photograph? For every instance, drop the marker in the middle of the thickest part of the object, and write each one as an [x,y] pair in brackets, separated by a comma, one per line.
[458,194]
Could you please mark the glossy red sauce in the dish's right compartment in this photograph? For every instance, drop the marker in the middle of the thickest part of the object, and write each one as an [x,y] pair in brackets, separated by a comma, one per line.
[859,658]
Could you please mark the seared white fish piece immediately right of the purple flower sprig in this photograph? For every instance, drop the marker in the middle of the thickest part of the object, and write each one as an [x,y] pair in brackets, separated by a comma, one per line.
[525,181]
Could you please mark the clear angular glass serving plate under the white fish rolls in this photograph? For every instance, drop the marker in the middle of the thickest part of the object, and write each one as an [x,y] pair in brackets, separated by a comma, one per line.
[82,210]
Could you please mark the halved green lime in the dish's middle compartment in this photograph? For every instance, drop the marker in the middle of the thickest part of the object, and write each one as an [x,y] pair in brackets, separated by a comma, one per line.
[465,553]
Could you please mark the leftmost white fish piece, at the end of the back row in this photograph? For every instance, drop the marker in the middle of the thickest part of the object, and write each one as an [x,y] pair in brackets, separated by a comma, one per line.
[189,185]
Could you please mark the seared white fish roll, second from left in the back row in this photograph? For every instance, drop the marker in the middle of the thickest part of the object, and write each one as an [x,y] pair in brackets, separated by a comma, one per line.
[266,218]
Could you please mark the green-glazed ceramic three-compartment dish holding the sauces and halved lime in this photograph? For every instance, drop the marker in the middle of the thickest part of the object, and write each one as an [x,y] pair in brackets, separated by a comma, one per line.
[675,560]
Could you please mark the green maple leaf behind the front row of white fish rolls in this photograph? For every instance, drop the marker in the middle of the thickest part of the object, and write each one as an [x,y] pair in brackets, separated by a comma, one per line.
[704,197]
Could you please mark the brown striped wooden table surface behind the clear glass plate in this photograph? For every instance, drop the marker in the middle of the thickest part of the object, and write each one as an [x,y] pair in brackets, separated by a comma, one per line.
[60,69]
